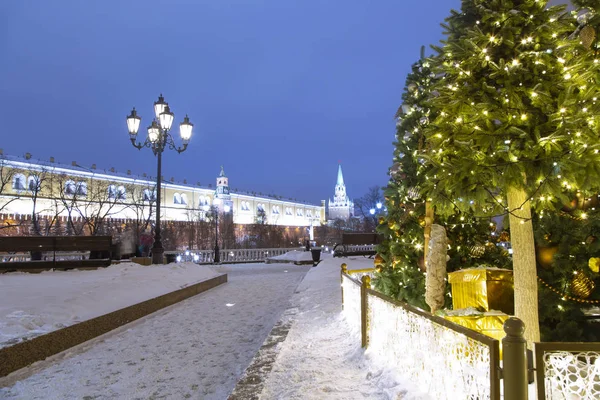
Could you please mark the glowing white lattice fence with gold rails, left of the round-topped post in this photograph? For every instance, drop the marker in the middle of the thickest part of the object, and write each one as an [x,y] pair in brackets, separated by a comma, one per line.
[443,359]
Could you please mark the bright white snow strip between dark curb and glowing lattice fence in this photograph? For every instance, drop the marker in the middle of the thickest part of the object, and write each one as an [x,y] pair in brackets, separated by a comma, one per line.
[322,356]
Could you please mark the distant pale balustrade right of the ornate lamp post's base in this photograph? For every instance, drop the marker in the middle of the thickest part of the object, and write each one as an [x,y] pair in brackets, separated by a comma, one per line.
[229,256]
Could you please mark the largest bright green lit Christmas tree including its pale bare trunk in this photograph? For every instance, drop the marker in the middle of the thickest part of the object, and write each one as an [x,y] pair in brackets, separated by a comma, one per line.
[517,124]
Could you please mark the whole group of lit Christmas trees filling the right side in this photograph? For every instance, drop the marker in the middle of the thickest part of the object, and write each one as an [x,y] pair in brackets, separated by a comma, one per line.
[502,121]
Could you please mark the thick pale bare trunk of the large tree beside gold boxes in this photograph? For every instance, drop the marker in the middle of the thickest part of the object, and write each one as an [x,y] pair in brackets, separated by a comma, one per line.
[524,267]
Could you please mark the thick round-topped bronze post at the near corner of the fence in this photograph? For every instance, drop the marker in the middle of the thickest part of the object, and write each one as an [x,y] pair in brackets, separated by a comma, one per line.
[514,368]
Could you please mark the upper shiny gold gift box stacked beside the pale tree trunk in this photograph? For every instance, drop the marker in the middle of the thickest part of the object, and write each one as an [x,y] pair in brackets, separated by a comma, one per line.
[485,289]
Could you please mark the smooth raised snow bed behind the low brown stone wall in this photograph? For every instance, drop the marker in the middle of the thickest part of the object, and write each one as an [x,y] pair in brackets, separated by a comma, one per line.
[34,304]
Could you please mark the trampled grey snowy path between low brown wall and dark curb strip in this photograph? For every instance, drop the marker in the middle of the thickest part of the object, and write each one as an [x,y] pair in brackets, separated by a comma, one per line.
[195,349]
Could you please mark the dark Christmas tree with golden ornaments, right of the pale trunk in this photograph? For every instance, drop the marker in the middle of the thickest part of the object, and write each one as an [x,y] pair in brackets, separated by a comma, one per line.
[568,252]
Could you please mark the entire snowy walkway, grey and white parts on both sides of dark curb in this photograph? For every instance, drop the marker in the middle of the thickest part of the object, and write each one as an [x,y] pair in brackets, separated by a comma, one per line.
[200,347]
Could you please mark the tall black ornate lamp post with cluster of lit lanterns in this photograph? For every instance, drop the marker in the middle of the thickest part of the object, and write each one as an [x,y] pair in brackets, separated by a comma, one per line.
[158,139]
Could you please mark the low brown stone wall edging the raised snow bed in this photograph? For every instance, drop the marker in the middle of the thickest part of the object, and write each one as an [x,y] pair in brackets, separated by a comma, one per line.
[39,348]
